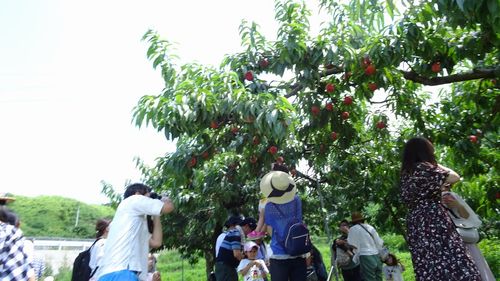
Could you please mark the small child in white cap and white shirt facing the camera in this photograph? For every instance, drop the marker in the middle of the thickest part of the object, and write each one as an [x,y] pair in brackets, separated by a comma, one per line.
[251,268]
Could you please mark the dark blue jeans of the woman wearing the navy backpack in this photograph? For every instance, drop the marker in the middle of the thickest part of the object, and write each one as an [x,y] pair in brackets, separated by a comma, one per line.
[290,269]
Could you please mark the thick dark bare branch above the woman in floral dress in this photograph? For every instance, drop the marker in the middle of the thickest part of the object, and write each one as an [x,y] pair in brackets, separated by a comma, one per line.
[475,74]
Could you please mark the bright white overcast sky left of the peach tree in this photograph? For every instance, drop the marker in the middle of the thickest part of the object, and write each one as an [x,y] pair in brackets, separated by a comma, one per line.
[71,72]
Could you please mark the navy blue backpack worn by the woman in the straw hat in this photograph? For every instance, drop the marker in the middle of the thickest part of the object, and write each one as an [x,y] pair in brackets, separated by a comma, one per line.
[297,240]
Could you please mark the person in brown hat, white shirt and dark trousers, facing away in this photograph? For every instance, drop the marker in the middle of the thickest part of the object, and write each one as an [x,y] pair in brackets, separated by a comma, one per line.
[367,242]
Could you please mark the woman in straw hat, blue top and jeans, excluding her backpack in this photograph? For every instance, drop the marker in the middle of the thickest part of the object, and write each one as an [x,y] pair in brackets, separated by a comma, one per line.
[283,205]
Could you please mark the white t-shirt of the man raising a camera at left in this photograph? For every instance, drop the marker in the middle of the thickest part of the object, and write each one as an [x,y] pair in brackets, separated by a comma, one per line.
[127,246]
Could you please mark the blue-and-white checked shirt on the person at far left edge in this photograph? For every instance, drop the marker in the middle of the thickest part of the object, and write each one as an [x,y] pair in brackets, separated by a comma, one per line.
[14,265]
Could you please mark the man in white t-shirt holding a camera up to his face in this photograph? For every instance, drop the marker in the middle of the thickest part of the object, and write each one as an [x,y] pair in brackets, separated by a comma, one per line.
[129,241]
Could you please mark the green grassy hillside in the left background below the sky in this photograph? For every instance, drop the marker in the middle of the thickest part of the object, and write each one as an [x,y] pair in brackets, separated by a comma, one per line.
[55,216]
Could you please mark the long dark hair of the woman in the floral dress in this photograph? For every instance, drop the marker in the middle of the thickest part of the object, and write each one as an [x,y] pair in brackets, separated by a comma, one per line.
[417,150]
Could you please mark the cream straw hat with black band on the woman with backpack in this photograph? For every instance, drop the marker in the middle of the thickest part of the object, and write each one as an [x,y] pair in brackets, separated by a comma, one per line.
[278,187]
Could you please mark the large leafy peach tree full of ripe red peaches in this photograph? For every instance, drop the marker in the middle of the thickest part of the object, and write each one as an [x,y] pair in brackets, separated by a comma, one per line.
[335,107]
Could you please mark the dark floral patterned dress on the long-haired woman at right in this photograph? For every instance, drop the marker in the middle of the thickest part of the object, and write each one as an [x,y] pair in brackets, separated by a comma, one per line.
[437,250]
